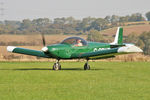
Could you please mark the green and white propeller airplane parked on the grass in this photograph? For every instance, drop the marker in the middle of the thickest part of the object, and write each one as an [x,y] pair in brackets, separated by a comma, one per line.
[78,48]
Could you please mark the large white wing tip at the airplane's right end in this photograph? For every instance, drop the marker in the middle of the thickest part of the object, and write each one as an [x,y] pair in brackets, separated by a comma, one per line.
[130,49]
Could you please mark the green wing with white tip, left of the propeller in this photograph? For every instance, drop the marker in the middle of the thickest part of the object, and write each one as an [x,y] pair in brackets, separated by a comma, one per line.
[27,51]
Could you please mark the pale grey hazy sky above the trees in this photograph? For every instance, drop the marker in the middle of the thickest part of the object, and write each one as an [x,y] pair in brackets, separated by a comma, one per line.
[32,9]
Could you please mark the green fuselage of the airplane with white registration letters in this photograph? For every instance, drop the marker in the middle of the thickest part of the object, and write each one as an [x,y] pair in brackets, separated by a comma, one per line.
[67,51]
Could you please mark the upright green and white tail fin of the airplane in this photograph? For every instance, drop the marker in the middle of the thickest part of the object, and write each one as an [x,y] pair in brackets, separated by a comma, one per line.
[118,38]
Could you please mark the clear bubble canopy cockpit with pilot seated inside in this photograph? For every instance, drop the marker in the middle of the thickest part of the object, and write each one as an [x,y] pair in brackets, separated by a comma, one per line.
[76,41]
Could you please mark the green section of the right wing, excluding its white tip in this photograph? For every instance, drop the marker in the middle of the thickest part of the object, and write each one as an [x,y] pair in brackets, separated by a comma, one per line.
[98,54]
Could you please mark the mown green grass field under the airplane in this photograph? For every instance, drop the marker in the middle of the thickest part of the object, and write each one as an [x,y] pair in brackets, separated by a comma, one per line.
[105,81]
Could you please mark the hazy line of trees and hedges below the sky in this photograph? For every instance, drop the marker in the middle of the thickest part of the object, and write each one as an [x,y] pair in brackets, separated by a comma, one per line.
[67,25]
